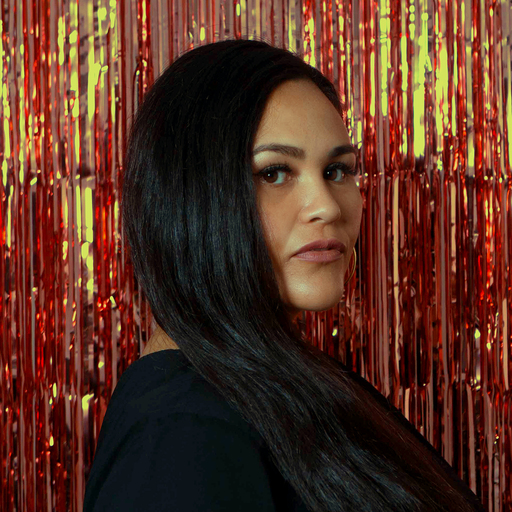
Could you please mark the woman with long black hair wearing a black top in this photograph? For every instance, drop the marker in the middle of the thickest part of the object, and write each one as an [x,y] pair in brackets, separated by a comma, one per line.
[238,158]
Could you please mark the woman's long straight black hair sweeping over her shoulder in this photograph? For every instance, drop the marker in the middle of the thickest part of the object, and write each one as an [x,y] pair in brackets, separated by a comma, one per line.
[199,253]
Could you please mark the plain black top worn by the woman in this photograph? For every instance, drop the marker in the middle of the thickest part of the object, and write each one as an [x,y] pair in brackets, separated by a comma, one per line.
[170,442]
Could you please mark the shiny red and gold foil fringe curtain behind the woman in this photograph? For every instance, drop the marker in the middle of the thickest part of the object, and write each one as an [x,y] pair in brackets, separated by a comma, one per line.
[426,318]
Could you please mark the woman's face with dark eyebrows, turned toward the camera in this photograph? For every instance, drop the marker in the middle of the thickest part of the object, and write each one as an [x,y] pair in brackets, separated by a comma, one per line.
[317,199]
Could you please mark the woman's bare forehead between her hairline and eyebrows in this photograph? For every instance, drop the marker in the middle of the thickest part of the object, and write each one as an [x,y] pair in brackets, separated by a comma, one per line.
[299,110]
